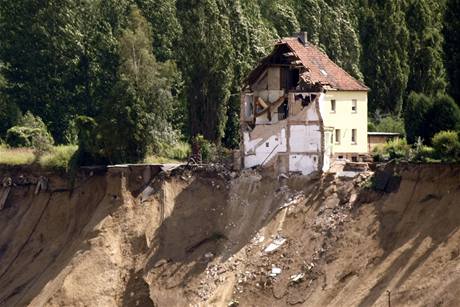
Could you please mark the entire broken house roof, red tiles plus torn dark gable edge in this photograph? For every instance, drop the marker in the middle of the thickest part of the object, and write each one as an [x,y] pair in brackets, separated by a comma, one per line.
[316,68]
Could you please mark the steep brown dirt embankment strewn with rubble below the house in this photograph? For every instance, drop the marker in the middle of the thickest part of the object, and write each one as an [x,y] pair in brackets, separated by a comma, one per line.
[134,237]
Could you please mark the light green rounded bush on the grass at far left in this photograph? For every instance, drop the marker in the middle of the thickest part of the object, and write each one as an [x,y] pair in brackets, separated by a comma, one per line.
[30,132]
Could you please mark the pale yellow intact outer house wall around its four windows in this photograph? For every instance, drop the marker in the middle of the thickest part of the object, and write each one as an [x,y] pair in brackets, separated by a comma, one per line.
[345,119]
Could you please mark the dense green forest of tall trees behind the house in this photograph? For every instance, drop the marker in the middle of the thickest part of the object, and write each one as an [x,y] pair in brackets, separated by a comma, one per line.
[124,77]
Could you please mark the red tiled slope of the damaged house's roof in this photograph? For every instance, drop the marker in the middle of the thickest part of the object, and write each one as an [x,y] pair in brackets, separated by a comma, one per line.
[320,68]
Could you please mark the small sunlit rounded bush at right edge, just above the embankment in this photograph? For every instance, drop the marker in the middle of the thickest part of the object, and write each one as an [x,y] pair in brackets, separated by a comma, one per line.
[446,146]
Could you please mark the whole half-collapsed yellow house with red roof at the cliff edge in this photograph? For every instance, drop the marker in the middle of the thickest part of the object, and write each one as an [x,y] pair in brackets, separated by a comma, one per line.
[300,111]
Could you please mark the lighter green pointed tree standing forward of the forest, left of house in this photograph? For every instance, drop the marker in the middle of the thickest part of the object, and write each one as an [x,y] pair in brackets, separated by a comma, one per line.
[134,117]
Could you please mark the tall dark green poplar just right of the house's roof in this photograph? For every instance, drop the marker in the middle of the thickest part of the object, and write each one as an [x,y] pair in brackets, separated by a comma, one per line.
[385,60]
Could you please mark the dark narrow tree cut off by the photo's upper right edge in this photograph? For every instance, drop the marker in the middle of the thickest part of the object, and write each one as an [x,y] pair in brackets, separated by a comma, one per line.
[451,47]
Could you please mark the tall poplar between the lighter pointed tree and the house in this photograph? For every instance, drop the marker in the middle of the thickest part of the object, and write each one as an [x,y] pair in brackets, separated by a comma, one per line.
[205,59]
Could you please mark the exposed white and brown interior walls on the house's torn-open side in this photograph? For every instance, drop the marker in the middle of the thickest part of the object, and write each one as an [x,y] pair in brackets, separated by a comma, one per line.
[294,143]
